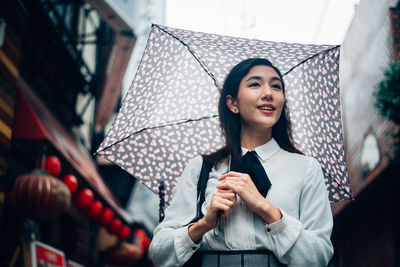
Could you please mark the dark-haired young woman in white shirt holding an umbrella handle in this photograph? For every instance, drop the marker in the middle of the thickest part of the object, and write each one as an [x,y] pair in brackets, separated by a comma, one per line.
[265,203]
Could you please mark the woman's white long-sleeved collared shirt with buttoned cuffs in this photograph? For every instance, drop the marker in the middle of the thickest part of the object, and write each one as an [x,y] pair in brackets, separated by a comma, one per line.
[300,238]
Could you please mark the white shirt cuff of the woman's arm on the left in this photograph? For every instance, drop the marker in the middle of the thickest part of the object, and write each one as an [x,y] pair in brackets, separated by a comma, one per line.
[184,245]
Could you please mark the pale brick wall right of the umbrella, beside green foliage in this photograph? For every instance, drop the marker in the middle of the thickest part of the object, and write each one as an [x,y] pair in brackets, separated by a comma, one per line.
[365,54]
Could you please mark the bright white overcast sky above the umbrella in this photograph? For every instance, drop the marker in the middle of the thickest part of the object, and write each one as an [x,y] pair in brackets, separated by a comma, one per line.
[299,21]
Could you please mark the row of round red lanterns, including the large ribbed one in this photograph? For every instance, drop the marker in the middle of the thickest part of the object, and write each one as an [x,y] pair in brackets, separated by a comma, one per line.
[28,190]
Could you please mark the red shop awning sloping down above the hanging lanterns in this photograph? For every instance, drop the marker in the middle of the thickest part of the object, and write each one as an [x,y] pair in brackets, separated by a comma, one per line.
[34,121]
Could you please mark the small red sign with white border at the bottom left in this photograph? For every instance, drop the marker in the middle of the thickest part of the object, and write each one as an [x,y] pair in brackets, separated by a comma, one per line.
[45,256]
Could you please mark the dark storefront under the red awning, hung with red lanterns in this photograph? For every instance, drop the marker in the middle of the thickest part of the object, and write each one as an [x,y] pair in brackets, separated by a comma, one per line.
[86,224]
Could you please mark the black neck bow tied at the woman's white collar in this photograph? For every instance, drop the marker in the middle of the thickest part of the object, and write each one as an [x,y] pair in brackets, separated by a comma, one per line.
[250,164]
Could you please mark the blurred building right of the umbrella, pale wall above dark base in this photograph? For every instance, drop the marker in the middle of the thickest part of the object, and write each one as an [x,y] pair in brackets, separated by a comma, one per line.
[366,230]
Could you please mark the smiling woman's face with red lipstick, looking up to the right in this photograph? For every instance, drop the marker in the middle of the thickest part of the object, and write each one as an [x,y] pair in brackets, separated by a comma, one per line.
[260,98]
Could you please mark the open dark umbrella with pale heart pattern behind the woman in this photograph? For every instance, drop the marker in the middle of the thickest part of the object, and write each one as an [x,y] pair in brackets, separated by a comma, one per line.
[169,114]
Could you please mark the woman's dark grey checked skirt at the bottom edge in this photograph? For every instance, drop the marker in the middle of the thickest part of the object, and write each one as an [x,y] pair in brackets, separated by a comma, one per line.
[243,258]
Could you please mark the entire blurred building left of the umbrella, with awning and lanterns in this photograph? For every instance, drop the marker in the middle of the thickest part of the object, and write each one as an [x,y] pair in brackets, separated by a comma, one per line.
[62,66]
